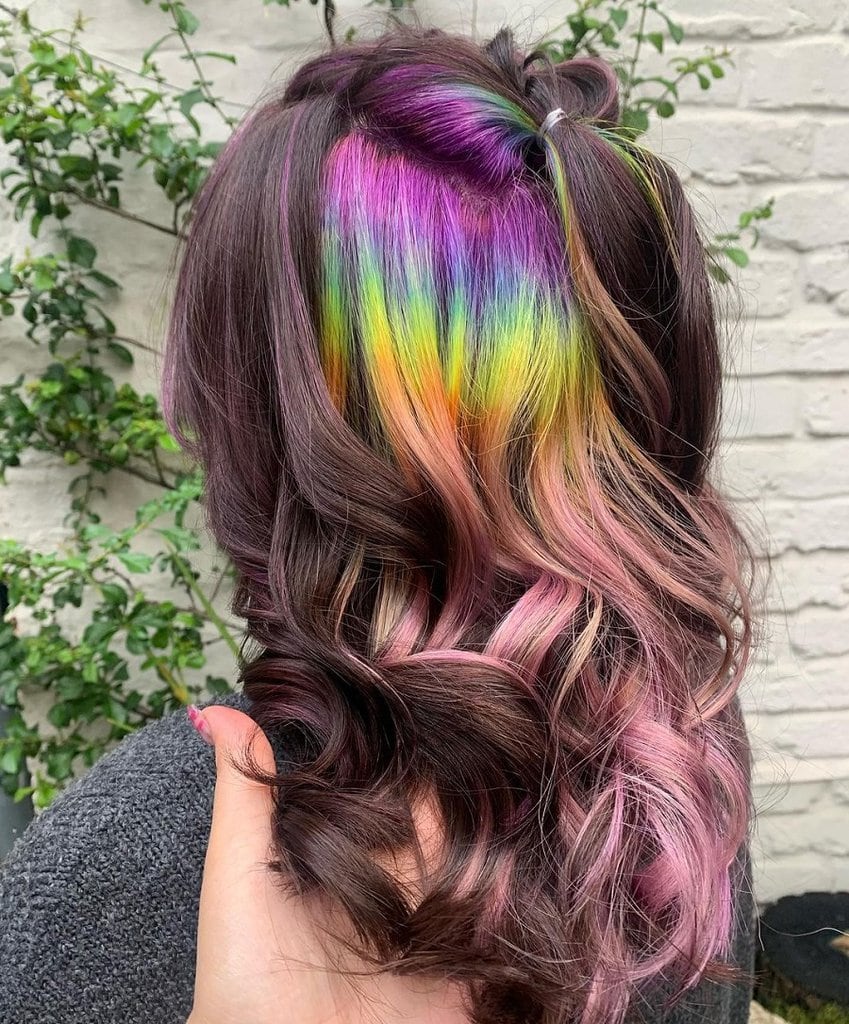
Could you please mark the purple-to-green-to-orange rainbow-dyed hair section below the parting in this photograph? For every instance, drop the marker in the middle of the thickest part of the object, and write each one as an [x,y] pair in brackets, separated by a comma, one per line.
[456,307]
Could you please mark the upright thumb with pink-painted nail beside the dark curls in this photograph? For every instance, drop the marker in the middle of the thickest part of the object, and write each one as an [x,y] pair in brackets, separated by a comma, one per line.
[241,833]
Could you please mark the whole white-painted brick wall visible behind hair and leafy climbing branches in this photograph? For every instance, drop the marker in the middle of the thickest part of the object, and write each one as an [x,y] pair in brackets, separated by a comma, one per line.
[777,125]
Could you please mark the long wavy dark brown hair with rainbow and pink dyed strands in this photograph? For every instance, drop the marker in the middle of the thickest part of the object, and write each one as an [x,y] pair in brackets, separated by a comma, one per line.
[455,386]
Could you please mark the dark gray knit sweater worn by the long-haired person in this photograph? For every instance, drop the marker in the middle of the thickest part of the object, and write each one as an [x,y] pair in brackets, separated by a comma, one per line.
[99,899]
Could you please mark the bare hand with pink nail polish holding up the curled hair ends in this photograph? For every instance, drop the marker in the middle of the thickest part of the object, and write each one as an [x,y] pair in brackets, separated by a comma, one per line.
[260,959]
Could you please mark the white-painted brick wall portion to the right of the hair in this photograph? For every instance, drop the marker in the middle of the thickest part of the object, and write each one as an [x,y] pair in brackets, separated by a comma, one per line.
[782,132]
